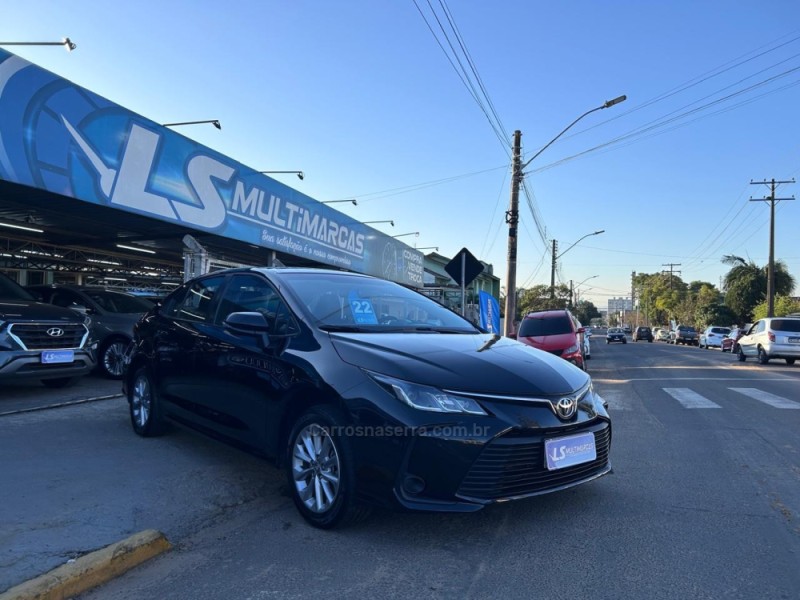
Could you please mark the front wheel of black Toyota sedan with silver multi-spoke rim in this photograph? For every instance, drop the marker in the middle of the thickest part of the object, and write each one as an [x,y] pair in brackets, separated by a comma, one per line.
[322,486]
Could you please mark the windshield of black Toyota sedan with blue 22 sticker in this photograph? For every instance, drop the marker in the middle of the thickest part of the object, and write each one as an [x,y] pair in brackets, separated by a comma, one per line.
[344,302]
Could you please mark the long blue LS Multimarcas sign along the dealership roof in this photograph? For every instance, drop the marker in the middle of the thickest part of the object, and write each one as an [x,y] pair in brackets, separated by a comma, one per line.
[60,137]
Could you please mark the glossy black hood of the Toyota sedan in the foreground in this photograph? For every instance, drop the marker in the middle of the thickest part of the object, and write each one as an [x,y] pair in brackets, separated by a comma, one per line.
[481,363]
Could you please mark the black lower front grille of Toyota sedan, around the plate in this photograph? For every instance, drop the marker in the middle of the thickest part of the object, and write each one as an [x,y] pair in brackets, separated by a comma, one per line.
[512,466]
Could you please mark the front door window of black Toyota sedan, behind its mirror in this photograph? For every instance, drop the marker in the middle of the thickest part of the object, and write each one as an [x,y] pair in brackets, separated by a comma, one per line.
[250,293]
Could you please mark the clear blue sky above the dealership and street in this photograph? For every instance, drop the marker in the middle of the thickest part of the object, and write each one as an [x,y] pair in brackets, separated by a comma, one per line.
[360,96]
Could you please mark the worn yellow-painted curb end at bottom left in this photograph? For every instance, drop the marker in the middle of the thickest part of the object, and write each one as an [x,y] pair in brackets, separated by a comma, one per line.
[91,570]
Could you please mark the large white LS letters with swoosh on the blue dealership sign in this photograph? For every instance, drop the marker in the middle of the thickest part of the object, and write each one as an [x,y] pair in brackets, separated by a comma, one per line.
[127,186]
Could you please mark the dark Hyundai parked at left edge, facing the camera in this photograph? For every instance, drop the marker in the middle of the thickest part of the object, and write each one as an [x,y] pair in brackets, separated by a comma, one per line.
[41,342]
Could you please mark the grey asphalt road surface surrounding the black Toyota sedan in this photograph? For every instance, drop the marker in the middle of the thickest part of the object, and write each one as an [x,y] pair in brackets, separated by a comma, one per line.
[704,503]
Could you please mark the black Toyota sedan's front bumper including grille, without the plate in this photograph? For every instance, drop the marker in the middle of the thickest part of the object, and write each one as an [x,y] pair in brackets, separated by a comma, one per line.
[465,464]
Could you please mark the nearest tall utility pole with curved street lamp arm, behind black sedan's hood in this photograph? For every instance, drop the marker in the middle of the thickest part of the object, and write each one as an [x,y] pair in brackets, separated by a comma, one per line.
[512,215]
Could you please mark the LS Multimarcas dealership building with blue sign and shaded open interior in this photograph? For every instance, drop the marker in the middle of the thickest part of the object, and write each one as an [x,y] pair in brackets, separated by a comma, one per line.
[92,193]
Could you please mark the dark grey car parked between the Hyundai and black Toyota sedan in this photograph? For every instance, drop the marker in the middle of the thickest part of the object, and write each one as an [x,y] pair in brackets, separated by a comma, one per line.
[113,315]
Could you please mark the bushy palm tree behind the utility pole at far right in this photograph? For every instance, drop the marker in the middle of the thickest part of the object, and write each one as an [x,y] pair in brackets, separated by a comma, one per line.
[745,284]
